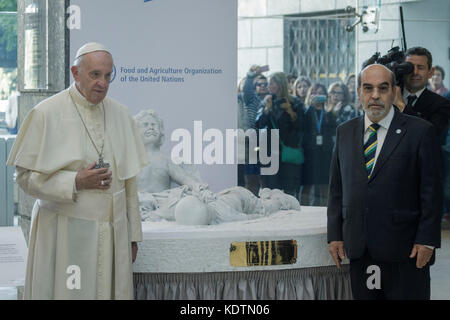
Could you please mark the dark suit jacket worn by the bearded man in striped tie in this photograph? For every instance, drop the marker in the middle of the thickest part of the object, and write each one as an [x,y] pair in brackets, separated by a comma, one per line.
[400,205]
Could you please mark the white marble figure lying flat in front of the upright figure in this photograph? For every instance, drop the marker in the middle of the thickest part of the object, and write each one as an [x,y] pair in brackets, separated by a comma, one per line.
[197,207]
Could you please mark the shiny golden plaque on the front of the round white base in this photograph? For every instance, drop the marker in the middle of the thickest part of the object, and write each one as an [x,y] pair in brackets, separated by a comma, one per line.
[263,253]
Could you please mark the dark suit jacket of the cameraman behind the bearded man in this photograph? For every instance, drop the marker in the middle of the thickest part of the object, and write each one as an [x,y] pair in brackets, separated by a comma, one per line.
[433,108]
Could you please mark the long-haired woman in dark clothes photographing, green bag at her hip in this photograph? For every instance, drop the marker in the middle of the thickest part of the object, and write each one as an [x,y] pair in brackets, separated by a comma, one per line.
[282,111]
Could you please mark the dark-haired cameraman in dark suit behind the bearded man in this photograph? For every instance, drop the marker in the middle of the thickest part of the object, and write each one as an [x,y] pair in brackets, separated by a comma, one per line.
[417,100]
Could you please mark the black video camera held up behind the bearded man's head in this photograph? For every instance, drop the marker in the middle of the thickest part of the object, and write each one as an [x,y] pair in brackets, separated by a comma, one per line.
[395,61]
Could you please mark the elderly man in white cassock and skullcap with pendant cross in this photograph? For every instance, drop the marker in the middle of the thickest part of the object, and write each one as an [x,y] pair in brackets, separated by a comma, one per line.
[78,152]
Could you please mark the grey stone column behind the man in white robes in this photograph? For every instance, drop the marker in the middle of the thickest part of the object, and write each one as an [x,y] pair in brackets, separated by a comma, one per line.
[54,70]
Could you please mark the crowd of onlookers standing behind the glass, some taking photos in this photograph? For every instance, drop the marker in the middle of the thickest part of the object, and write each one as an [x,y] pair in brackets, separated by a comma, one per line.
[306,114]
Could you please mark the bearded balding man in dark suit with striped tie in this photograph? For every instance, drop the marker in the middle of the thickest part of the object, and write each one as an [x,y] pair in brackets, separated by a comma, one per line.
[385,195]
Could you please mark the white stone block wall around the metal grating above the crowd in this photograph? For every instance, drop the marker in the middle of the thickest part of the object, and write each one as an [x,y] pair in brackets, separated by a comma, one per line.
[261,28]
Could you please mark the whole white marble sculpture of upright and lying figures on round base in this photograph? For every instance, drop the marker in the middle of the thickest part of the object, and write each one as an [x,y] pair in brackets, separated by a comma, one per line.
[192,203]
